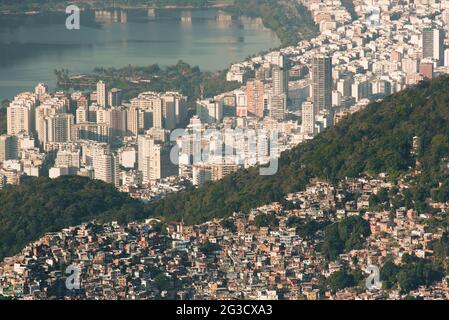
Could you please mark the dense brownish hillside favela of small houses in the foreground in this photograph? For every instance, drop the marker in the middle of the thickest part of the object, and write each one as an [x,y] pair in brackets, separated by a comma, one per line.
[232,258]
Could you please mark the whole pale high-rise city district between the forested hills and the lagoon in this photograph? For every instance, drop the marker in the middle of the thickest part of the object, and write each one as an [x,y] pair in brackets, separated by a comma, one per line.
[286,97]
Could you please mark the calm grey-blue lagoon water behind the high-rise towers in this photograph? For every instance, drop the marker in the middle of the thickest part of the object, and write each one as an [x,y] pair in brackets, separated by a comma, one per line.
[32,47]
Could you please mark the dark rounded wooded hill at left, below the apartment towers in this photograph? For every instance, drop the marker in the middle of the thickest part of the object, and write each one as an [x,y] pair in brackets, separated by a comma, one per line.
[43,205]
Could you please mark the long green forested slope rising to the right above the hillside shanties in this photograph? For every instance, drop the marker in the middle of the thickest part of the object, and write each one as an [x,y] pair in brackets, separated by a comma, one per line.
[377,139]
